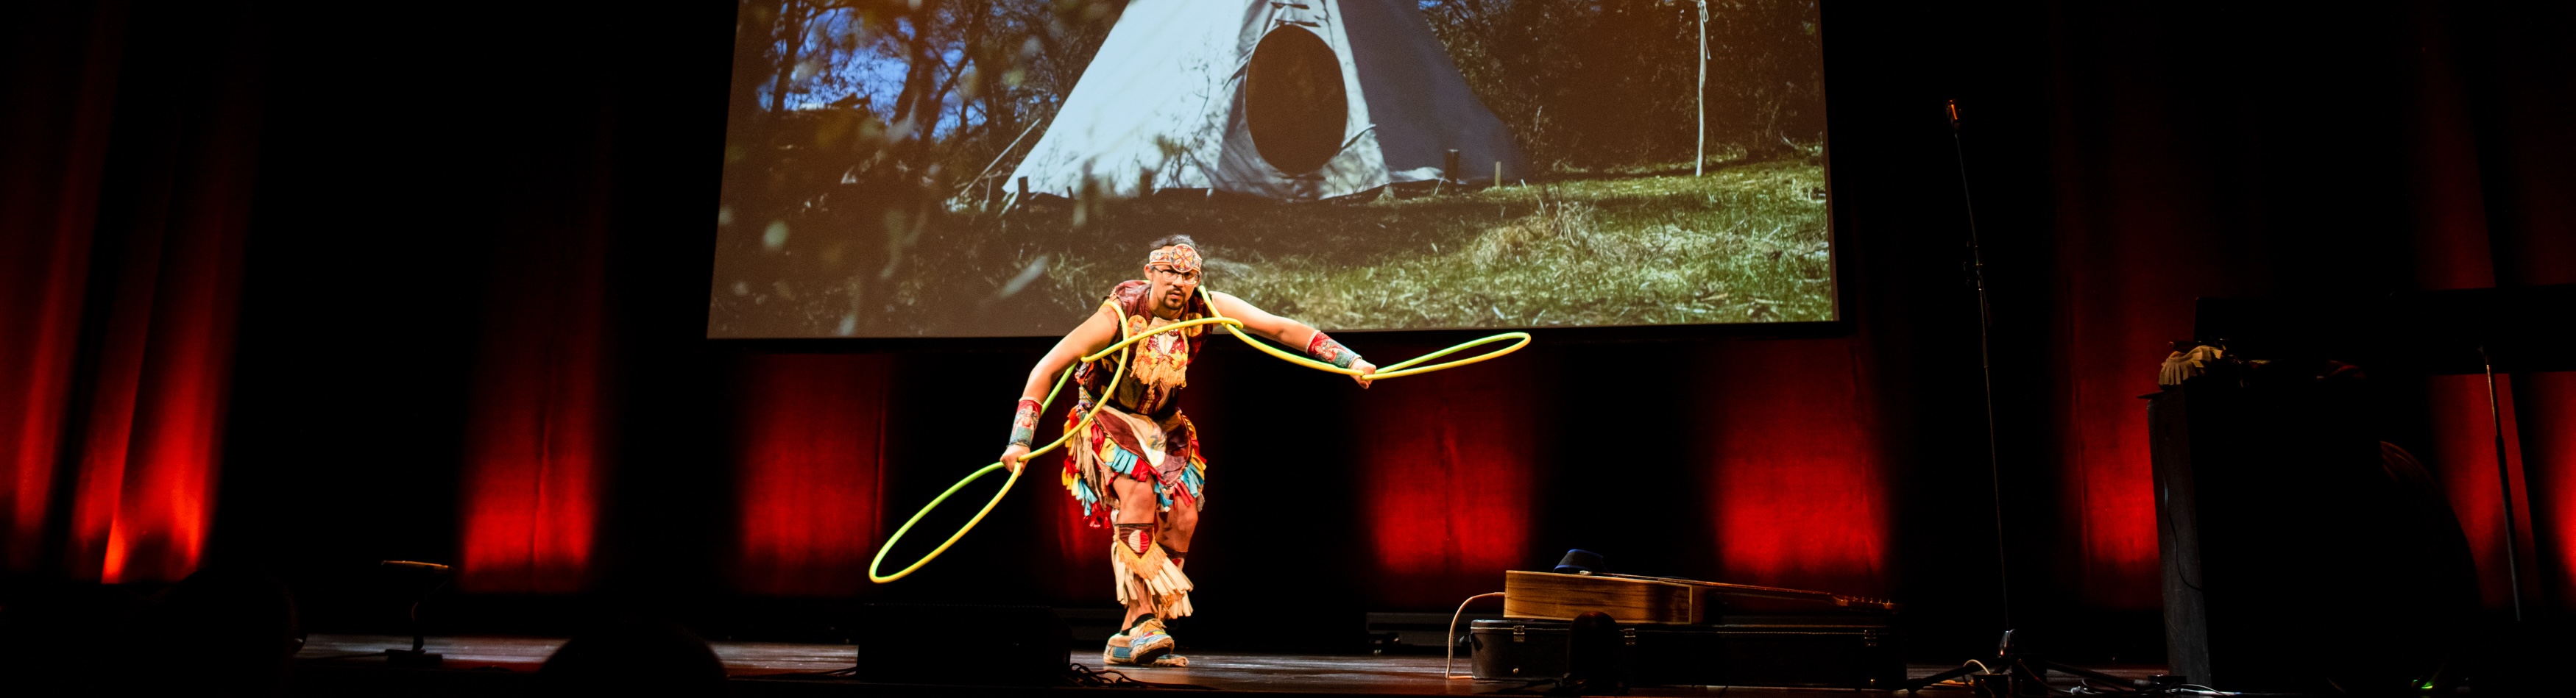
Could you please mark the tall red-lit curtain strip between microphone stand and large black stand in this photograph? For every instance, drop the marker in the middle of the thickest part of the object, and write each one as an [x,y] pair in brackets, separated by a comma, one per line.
[2132,259]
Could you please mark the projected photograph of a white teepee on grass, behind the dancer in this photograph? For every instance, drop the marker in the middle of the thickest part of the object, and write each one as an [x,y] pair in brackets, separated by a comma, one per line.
[990,169]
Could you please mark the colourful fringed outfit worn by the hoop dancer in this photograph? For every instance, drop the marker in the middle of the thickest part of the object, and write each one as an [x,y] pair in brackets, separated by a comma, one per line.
[1140,437]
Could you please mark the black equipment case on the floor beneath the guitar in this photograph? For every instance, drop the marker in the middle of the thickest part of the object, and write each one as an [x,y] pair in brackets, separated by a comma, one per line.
[1738,653]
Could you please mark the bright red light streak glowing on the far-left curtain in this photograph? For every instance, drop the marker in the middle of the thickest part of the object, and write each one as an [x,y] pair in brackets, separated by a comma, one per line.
[146,491]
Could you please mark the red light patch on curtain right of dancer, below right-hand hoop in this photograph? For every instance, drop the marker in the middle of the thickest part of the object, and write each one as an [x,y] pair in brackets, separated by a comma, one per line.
[1446,483]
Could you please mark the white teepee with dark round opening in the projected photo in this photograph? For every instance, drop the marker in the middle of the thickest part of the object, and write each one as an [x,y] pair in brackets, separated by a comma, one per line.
[1284,99]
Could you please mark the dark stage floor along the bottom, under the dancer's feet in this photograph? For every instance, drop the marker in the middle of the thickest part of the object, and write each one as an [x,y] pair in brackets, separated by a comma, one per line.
[504,666]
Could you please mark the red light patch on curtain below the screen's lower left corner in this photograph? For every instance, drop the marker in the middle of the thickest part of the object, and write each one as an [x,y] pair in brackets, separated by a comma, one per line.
[808,470]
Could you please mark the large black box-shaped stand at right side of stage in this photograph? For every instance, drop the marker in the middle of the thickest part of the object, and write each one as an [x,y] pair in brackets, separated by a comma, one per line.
[2299,550]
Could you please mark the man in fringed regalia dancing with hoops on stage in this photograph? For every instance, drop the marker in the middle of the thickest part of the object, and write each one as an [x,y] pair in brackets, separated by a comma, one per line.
[1137,467]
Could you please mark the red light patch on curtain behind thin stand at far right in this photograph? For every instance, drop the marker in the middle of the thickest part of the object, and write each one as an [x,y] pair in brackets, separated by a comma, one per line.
[2467,462]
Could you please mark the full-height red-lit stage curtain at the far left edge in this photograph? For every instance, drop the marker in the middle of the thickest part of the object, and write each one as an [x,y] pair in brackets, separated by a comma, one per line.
[161,192]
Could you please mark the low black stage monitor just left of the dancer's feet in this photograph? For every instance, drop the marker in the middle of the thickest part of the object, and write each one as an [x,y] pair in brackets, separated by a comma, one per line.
[962,645]
